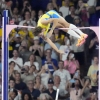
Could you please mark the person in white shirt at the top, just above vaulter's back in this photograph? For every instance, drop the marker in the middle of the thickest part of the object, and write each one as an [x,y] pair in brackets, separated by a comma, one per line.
[65,9]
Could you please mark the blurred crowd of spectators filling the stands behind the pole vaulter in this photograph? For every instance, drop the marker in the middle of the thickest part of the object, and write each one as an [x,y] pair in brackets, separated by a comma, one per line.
[36,71]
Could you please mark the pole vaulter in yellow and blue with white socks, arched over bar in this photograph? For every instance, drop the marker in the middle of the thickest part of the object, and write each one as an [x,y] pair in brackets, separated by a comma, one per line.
[57,21]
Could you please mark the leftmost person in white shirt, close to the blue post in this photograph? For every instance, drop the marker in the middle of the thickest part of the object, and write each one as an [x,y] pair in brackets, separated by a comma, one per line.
[17,60]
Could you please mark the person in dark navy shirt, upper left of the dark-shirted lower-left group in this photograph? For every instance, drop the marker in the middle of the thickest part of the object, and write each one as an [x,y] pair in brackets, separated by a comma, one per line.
[19,85]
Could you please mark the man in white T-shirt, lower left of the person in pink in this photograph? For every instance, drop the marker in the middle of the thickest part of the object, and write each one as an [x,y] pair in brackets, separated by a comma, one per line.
[62,73]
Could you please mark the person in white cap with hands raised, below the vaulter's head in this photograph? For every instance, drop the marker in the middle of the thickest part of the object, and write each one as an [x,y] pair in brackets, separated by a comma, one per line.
[36,48]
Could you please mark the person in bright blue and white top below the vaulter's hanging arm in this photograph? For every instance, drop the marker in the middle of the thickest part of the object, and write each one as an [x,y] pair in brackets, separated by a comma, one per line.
[51,63]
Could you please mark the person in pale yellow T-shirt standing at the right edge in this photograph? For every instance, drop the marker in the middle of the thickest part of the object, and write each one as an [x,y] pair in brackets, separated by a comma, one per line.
[92,72]
